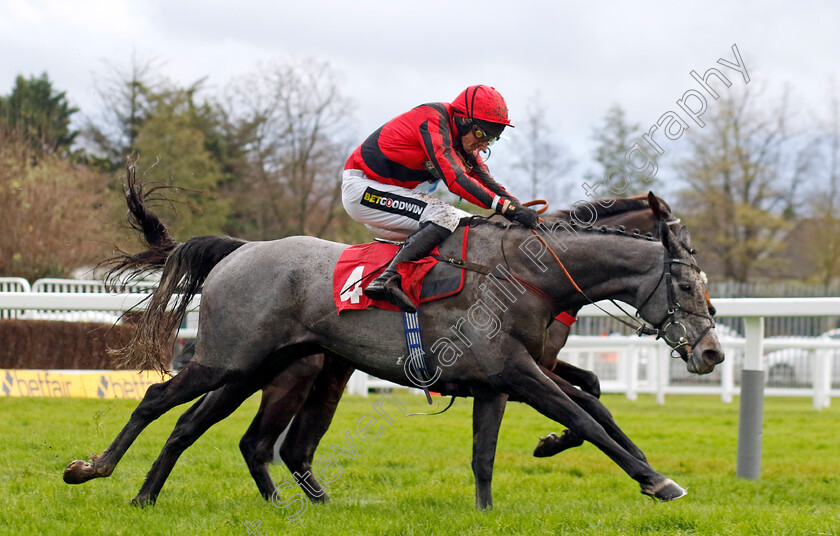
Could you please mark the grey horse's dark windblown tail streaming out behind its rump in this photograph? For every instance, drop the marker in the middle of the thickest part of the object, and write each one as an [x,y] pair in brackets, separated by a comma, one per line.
[185,267]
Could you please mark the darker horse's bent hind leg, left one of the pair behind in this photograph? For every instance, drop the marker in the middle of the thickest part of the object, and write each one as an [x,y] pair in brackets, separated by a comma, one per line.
[281,400]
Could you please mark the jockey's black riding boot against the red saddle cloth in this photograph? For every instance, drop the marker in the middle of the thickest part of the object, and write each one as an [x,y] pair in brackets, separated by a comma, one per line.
[387,285]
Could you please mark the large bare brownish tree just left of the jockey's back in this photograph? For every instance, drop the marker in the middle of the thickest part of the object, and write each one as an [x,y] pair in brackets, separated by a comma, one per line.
[292,121]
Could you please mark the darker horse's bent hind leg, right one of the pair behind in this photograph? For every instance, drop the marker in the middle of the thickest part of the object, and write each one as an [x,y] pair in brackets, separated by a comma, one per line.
[312,422]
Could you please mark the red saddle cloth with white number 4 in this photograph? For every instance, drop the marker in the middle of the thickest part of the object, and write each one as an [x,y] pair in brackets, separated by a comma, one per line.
[359,265]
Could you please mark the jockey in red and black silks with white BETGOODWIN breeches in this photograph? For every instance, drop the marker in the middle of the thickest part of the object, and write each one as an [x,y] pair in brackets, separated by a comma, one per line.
[387,181]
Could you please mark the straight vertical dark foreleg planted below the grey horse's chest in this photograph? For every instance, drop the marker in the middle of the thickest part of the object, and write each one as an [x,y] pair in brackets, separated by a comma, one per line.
[488,410]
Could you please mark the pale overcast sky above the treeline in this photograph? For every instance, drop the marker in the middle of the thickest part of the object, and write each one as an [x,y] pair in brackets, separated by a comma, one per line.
[581,56]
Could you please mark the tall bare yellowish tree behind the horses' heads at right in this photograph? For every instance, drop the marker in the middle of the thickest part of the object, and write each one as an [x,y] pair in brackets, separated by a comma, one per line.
[741,176]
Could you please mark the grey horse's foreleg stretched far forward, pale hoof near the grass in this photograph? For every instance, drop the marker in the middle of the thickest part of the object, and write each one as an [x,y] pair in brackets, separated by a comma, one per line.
[524,377]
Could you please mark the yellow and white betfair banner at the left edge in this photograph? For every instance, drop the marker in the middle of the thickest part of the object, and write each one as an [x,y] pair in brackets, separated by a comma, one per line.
[105,384]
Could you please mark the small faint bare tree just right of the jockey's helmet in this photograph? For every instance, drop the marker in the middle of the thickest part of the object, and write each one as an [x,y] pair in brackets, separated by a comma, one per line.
[543,161]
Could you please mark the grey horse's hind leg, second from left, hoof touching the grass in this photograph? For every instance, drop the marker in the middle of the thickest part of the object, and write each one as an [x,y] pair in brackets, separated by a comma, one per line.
[211,409]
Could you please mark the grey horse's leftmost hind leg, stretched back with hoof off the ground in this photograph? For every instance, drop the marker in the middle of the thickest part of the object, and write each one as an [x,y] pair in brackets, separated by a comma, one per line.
[194,380]
